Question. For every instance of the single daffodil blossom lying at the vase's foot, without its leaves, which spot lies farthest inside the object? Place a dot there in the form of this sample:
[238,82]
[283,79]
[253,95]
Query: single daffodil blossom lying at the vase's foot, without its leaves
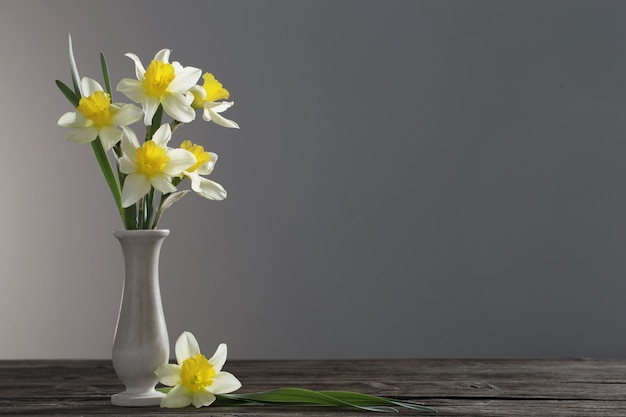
[195,379]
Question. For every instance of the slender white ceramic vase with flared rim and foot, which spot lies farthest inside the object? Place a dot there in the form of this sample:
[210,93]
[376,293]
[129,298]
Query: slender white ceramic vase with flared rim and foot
[141,342]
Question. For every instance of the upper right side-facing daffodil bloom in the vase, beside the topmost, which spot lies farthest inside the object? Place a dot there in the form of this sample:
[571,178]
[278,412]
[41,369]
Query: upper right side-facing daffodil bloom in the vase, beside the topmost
[206,97]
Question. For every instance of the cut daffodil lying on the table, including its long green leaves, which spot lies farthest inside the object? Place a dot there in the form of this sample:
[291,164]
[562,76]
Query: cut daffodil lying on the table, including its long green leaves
[196,380]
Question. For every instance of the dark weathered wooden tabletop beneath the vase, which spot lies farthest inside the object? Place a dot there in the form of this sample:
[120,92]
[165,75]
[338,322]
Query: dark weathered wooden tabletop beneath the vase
[570,387]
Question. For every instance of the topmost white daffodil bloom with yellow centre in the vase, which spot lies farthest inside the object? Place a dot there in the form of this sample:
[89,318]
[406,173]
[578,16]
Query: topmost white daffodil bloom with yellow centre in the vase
[162,83]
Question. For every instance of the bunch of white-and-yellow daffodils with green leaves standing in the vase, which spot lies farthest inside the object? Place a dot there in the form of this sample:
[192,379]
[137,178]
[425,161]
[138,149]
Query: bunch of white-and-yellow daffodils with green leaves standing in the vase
[148,171]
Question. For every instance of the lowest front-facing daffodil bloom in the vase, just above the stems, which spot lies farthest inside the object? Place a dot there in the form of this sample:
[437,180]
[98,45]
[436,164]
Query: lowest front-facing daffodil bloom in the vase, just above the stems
[151,164]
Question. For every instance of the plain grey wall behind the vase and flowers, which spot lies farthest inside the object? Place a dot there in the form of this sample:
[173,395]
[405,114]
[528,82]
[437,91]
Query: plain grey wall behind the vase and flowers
[411,179]
